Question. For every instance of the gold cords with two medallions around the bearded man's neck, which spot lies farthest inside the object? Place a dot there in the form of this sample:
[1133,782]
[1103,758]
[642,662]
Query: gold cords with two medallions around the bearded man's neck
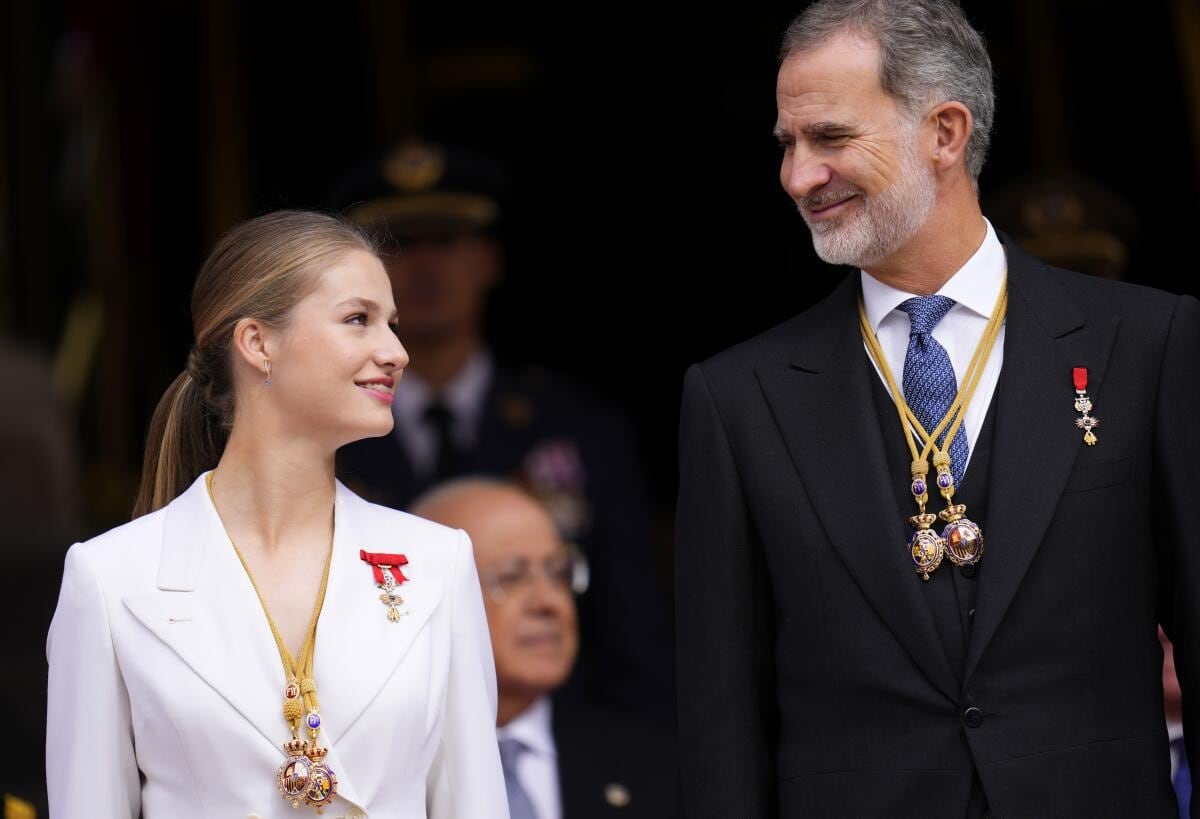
[962,541]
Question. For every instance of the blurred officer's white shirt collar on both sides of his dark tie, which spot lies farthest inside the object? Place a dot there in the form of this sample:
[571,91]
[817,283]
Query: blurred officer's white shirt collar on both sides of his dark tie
[464,396]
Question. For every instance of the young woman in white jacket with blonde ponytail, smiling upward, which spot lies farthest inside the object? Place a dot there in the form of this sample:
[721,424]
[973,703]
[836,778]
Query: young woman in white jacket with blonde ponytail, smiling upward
[230,653]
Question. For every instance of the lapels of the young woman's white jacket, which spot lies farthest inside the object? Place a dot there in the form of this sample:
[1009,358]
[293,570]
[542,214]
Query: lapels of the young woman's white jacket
[207,612]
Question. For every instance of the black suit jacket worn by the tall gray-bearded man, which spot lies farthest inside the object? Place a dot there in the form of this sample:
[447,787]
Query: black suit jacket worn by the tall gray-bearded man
[812,679]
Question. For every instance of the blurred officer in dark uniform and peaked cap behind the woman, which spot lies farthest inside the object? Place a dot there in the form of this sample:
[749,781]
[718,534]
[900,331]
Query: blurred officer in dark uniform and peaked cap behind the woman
[461,411]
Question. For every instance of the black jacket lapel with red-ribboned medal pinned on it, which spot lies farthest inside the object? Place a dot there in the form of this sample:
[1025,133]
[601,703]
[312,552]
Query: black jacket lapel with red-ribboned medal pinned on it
[1036,441]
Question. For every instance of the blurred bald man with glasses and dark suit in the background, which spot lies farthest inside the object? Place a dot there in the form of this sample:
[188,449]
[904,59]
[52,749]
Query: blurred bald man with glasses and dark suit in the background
[563,757]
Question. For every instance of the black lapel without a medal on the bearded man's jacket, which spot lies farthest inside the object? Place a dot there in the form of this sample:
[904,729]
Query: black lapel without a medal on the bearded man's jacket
[824,406]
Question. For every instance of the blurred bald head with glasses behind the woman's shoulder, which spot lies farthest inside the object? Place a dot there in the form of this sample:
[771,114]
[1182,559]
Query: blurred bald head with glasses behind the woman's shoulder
[526,573]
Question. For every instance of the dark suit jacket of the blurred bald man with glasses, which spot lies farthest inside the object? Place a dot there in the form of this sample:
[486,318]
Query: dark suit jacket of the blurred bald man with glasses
[613,767]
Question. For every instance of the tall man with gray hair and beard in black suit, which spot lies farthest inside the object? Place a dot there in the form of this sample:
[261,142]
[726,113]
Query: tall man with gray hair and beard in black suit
[915,576]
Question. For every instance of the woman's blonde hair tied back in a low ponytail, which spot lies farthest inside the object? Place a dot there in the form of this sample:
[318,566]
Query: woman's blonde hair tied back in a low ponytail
[260,270]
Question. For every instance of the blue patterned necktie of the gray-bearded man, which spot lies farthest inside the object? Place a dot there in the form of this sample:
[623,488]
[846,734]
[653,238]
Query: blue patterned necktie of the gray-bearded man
[929,384]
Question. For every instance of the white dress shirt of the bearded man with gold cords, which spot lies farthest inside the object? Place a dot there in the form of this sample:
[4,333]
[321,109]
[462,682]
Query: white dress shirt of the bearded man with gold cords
[975,290]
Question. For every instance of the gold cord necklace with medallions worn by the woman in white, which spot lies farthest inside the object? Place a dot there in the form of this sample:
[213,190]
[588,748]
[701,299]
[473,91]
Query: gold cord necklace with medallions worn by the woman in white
[304,776]
